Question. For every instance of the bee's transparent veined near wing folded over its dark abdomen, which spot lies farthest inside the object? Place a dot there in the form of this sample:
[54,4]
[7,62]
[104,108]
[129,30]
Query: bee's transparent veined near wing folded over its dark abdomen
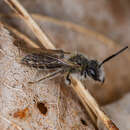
[46,61]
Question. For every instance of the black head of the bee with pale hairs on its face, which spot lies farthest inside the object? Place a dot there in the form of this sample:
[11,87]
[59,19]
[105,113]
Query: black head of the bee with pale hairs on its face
[94,71]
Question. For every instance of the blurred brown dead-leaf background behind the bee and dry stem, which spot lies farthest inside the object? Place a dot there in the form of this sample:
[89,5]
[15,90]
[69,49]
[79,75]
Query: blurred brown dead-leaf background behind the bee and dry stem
[96,29]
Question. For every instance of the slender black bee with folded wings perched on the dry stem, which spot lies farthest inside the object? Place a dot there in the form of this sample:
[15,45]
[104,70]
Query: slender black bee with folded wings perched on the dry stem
[56,60]
